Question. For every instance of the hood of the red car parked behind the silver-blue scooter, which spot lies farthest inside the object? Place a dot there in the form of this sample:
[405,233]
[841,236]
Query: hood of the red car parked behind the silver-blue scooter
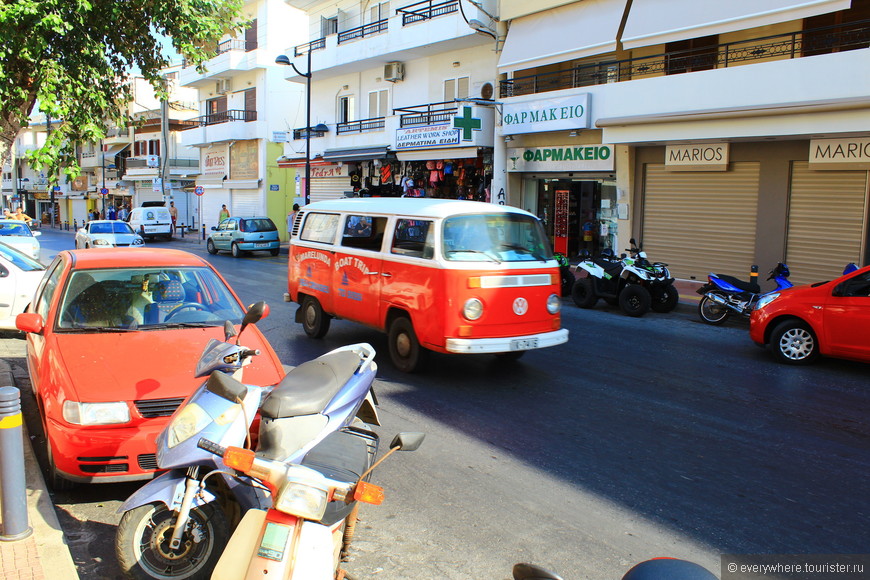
[154,364]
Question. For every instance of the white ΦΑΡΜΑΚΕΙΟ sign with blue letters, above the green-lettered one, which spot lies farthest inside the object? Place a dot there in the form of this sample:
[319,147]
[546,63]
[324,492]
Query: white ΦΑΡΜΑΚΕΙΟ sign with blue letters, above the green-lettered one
[564,113]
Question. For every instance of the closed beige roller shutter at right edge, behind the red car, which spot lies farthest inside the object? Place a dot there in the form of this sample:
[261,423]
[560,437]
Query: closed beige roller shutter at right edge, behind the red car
[826,219]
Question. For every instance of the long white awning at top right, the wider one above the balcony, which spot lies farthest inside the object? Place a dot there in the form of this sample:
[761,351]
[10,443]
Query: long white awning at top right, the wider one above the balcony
[655,22]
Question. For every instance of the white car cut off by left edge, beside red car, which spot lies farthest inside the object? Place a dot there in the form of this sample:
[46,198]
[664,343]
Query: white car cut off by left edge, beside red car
[19,276]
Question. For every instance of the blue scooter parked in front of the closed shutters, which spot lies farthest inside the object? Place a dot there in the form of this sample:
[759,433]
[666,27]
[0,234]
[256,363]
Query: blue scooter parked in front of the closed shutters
[724,295]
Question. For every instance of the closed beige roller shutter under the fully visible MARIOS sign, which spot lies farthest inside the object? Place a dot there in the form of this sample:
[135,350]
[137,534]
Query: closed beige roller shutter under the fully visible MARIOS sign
[701,222]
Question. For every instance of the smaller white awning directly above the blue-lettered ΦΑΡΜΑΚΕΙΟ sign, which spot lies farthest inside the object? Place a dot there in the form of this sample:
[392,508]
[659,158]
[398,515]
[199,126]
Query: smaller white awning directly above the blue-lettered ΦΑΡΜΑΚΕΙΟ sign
[569,32]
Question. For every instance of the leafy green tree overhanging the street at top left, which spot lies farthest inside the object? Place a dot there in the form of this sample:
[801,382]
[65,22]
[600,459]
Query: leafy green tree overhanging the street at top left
[73,59]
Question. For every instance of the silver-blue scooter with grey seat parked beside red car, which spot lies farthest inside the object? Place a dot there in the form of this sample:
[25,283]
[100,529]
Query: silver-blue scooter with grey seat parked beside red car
[177,525]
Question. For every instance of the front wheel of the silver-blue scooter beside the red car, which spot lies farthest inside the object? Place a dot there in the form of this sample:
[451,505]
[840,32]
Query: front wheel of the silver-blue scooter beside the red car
[144,533]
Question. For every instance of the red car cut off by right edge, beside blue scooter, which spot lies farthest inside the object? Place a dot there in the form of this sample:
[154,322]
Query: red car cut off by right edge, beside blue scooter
[826,318]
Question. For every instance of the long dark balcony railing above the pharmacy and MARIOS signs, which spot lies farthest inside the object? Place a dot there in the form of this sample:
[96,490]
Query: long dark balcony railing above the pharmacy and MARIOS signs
[810,42]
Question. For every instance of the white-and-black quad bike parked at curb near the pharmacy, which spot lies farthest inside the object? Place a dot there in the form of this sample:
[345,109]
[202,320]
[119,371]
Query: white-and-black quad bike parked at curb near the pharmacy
[632,281]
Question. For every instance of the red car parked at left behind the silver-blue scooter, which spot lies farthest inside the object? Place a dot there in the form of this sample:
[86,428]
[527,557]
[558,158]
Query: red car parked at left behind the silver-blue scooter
[112,341]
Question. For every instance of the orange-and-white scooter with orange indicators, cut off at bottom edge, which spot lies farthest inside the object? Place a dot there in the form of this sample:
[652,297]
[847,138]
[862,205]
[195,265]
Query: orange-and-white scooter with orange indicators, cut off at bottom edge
[300,536]
